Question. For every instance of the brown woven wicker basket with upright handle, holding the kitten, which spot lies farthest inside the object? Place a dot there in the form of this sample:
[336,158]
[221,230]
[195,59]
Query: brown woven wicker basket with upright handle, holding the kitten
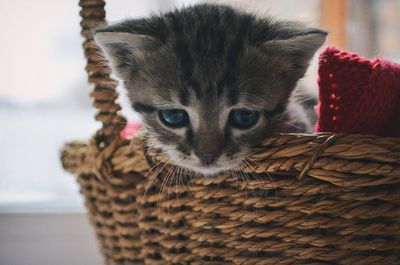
[306,199]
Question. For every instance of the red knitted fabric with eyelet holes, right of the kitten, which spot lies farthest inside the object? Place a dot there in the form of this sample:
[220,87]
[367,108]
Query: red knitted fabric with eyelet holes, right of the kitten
[358,95]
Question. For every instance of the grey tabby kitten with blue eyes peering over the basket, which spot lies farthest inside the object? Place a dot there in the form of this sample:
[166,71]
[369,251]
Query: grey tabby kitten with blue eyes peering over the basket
[211,82]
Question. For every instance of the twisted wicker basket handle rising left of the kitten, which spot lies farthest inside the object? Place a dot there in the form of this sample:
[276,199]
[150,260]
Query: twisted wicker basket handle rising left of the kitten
[104,92]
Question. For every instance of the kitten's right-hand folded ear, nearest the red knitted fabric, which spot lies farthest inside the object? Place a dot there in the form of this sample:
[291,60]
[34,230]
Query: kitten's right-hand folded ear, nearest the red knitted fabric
[296,46]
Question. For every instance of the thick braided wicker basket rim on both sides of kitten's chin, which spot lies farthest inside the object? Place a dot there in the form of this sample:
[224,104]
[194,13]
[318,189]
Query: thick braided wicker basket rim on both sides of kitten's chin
[349,160]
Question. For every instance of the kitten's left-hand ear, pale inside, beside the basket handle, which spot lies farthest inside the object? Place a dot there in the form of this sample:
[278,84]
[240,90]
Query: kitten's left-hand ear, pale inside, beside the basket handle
[123,49]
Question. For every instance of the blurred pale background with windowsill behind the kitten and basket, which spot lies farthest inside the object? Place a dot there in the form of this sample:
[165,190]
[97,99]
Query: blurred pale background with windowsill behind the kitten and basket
[44,102]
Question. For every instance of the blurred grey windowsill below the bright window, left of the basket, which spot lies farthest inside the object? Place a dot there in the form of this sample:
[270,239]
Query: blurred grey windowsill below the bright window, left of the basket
[47,239]
